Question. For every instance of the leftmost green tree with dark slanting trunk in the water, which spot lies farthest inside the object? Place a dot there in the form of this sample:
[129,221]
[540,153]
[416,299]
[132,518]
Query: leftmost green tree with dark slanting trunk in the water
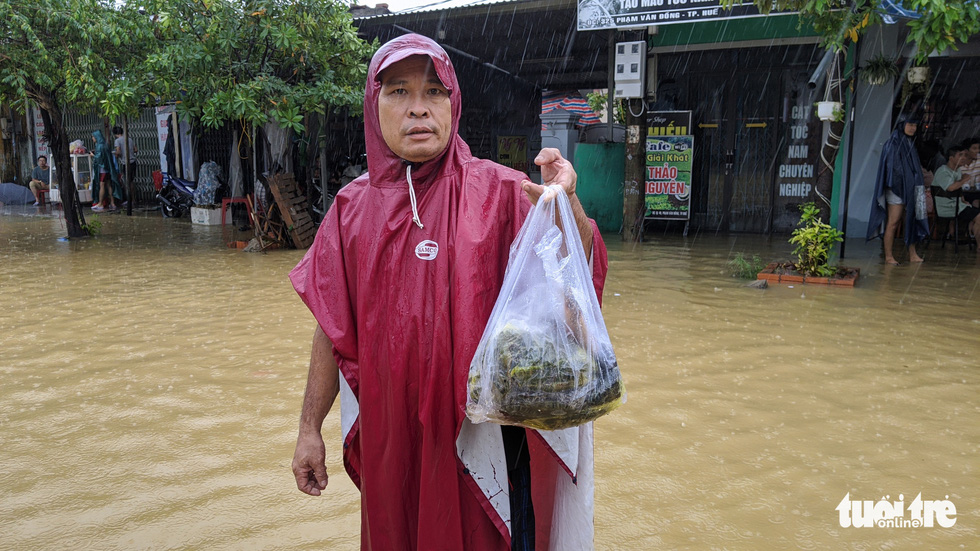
[61,53]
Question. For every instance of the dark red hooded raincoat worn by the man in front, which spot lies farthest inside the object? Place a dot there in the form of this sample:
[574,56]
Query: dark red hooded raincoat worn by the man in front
[405,308]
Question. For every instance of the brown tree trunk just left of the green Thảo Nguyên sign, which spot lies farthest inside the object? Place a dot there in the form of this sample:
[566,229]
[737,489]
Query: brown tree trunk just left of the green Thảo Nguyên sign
[634,186]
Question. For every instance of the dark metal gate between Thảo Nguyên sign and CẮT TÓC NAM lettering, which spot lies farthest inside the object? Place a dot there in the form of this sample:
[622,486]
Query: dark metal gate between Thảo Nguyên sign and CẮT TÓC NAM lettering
[735,99]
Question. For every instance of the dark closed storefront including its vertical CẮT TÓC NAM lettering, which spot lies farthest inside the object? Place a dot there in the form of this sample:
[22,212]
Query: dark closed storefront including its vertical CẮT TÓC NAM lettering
[756,141]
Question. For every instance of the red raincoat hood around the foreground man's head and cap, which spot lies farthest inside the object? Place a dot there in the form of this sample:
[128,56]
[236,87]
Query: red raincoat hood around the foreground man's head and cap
[385,167]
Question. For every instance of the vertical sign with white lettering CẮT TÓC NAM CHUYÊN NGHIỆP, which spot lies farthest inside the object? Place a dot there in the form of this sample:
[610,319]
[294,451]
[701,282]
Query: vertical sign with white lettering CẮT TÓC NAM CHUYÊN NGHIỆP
[798,160]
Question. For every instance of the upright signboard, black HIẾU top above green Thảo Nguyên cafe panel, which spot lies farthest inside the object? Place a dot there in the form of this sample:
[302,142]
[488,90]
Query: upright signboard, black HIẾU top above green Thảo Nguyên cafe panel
[669,160]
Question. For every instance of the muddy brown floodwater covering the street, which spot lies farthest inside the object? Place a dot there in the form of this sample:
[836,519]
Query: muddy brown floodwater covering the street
[152,380]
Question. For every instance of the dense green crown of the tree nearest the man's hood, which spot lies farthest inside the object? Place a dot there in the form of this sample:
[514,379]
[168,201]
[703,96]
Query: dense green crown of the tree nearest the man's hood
[252,61]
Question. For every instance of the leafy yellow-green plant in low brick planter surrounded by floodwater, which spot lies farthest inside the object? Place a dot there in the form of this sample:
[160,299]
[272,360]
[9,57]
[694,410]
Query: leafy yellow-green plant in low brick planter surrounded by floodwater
[814,241]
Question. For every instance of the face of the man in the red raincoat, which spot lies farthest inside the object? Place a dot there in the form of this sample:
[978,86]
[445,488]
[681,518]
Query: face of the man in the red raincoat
[414,110]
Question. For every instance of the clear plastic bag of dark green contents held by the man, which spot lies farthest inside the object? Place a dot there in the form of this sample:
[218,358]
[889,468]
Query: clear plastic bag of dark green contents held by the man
[545,360]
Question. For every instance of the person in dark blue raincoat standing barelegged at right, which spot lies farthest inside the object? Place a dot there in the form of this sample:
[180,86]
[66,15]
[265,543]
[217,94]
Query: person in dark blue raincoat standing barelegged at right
[899,195]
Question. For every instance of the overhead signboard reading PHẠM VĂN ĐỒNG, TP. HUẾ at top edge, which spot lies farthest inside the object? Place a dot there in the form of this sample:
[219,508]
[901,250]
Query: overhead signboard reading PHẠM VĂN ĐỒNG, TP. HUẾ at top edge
[613,14]
